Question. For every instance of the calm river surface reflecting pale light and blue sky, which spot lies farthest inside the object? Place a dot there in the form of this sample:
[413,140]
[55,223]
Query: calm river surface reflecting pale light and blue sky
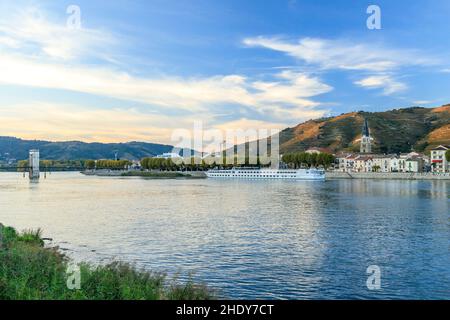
[250,239]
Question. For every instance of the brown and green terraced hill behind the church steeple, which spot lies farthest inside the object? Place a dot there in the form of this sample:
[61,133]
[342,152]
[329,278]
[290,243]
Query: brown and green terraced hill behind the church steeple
[395,131]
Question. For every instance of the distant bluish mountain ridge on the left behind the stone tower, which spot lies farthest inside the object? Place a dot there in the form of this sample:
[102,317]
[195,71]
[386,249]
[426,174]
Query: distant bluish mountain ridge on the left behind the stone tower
[75,150]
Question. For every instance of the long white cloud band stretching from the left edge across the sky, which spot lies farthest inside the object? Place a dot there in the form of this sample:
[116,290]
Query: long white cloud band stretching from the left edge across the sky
[194,94]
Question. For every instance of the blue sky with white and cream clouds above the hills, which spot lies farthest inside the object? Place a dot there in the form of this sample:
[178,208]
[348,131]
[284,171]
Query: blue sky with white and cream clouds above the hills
[140,70]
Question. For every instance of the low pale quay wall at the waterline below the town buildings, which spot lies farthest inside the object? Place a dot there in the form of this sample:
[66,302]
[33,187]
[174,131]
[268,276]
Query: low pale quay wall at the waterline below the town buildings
[386,176]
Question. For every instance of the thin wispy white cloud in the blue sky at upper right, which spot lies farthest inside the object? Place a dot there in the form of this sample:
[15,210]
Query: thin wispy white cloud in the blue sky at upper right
[371,59]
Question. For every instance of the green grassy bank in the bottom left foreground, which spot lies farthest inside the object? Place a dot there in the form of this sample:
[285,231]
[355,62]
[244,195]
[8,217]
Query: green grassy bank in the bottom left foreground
[30,271]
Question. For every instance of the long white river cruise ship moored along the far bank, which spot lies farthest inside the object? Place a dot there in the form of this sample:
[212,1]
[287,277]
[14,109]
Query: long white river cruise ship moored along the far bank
[258,173]
